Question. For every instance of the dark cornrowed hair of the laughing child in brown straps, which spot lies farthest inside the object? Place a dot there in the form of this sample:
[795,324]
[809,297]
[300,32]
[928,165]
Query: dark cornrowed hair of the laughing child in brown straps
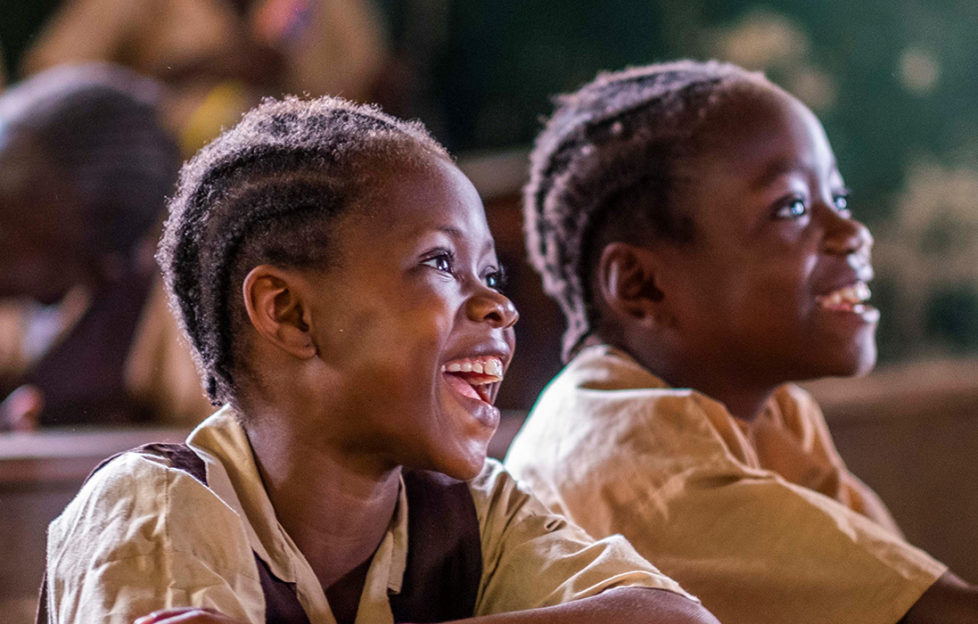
[267,191]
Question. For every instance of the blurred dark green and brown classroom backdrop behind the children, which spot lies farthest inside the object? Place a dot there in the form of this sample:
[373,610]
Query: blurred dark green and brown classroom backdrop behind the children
[894,83]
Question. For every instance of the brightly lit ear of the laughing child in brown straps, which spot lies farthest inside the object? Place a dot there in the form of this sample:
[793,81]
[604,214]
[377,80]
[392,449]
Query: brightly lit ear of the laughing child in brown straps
[277,310]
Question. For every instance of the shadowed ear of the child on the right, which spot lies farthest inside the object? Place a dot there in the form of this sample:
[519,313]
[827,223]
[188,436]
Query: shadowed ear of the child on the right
[627,282]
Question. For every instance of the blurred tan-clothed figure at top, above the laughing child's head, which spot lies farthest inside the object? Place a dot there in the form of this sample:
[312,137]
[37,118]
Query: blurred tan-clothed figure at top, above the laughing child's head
[219,57]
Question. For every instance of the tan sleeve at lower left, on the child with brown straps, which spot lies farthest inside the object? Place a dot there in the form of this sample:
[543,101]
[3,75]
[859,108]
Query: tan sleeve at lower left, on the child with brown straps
[113,555]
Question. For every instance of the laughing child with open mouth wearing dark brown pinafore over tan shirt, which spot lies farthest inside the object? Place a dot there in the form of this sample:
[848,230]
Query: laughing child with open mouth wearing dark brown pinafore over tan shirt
[335,274]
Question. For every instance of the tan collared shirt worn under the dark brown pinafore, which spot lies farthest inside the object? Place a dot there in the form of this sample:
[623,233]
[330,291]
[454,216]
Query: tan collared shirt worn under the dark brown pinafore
[140,536]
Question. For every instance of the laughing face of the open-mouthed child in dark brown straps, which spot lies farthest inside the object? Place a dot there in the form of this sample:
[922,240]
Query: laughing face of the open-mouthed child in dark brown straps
[410,325]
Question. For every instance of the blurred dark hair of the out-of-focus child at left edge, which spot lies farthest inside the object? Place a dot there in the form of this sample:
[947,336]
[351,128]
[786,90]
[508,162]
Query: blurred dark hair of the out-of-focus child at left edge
[99,126]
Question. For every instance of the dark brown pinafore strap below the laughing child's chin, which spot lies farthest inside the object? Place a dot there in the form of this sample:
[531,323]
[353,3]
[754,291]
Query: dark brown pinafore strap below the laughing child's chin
[444,561]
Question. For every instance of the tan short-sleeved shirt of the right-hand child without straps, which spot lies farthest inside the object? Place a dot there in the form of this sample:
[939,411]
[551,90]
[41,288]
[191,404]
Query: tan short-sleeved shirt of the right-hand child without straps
[759,520]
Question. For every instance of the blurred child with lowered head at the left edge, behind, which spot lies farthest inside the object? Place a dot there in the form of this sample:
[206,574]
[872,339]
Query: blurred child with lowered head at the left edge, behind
[85,333]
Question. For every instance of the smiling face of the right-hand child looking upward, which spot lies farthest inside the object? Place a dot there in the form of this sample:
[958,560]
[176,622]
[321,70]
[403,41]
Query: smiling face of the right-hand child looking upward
[772,287]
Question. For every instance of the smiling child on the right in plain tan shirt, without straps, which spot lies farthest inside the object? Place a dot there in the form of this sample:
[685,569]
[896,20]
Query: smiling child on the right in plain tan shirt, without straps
[691,221]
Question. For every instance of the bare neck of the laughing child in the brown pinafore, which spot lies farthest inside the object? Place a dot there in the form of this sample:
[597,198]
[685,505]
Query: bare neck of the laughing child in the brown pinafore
[335,508]
